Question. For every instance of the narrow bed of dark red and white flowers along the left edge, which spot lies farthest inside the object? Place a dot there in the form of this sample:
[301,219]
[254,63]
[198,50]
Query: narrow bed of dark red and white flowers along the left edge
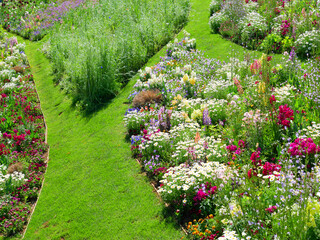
[22,139]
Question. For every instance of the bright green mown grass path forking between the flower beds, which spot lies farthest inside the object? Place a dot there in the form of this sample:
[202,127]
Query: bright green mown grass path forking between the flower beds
[93,189]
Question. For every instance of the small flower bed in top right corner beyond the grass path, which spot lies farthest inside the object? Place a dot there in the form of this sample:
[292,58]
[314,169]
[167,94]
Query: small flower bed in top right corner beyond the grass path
[270,26]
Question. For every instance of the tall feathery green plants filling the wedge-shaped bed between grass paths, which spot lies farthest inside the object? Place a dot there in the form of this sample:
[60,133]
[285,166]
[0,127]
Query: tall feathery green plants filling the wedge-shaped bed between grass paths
[99,47]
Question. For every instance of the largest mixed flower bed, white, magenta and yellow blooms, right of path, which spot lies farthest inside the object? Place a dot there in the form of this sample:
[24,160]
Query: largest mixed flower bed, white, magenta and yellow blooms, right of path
[233,147]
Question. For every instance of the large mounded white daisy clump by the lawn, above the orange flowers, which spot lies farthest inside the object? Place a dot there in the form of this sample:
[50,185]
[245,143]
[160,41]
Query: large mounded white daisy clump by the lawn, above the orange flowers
[186,187]
